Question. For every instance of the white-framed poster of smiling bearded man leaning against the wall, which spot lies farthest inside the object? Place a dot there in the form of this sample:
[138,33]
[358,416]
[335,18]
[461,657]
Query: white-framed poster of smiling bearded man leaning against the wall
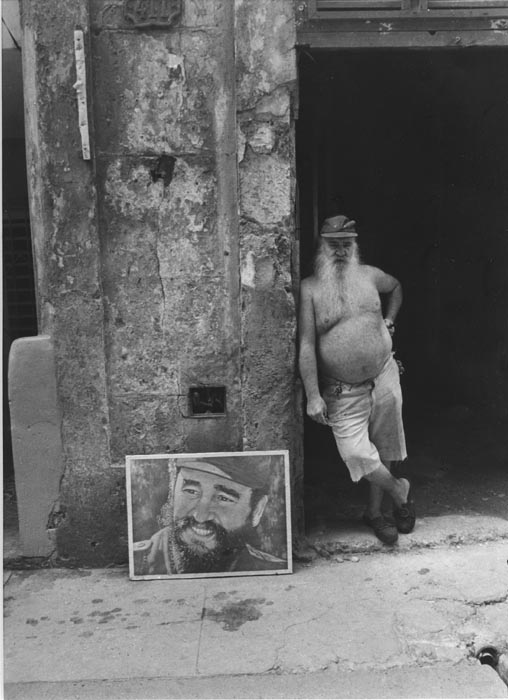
[208,514]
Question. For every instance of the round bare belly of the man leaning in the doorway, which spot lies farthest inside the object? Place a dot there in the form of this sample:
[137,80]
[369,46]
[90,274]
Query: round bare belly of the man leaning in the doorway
[355,349]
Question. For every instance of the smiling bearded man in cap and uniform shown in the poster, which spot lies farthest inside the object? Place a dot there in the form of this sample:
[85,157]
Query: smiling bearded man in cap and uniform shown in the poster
[208,523]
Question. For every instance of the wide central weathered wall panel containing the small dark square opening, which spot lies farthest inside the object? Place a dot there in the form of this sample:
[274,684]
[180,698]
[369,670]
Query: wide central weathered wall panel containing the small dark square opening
[164,118]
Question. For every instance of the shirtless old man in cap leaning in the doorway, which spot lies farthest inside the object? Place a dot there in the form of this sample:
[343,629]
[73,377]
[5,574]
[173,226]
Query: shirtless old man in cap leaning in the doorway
[350,377]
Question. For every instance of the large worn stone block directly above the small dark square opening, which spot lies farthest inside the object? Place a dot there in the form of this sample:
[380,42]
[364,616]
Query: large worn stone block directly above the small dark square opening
[165,282]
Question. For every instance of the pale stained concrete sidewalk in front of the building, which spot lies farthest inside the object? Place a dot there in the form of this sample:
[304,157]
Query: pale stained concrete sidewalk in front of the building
[377,624]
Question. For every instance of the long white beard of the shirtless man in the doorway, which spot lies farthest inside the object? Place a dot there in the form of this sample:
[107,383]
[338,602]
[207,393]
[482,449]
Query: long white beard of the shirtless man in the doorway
[339,283]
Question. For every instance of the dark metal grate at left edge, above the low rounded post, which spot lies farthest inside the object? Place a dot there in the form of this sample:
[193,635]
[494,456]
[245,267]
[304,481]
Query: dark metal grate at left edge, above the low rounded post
[18,275]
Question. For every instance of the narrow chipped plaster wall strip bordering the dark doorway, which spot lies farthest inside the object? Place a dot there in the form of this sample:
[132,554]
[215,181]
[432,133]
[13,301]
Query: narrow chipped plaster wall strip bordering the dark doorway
[266,85]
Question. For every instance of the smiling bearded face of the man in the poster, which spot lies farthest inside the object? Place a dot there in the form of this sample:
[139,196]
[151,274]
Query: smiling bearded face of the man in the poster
[214,517]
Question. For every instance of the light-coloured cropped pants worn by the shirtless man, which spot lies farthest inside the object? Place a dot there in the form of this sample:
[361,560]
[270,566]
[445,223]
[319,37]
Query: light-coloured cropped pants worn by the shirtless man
[366,420]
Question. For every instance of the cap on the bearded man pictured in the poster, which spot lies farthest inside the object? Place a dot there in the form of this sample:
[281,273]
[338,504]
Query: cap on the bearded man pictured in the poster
[250,470]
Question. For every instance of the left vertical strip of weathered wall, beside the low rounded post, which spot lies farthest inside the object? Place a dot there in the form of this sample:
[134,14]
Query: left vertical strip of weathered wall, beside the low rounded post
[63,203]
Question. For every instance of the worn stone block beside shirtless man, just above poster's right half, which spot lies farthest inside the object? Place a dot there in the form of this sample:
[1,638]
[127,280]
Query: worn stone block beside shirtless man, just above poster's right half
[269,333]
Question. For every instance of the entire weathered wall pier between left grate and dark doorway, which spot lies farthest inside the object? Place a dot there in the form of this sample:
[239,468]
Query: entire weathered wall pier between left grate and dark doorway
[169,260]
